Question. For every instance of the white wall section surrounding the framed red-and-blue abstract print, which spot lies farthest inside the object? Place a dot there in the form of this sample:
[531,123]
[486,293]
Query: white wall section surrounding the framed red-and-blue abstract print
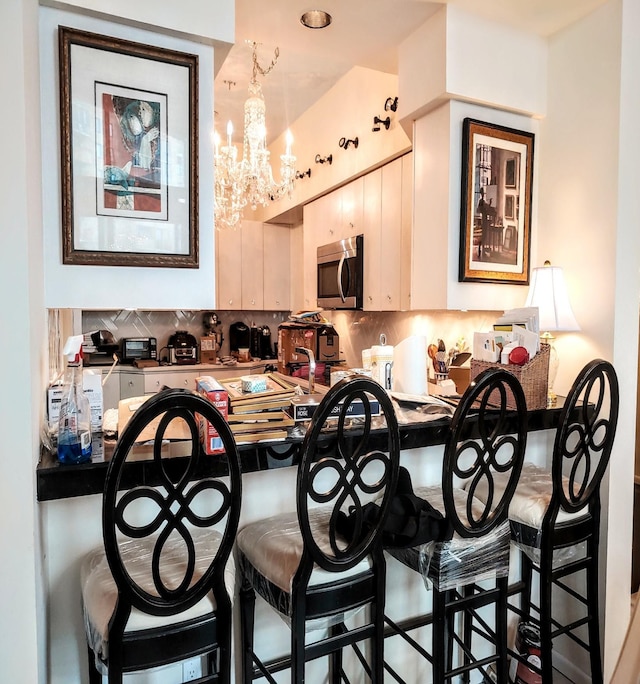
[104,287]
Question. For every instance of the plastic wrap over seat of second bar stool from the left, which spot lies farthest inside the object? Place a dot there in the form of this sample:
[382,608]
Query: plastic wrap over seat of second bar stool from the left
[269,553]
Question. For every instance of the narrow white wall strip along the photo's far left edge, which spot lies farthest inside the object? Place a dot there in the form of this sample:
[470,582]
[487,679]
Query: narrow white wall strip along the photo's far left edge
[22,644]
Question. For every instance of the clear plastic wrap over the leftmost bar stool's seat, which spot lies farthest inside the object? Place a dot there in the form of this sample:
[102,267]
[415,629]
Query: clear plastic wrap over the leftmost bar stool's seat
[99,591]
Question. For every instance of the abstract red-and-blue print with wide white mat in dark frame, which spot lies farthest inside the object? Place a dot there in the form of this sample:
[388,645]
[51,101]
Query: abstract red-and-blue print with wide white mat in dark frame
[129,131]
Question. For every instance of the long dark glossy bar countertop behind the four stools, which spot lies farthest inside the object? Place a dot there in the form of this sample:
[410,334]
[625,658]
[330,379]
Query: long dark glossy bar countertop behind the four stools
[55,481]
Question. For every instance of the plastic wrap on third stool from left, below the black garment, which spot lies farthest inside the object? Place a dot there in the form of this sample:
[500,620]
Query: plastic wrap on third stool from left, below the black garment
[459,561]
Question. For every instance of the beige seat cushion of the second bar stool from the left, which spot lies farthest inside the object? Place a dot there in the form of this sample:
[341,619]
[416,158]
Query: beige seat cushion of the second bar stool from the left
[274,546]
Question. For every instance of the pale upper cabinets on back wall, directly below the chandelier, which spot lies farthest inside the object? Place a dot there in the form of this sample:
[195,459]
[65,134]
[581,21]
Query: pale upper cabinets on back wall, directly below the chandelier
[252,267]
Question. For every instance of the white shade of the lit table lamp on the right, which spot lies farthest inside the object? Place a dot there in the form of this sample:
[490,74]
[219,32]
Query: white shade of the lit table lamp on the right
[549,293]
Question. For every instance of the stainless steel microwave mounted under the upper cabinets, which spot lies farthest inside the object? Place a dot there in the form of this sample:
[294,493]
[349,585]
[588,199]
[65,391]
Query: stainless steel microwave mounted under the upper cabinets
[341,274]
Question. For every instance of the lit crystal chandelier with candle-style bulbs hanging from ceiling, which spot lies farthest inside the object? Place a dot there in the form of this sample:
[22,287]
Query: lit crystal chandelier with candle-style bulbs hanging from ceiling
[249,182]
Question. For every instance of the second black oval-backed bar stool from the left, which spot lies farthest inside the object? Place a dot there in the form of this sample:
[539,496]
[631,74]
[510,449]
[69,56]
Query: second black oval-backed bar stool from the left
[301,565]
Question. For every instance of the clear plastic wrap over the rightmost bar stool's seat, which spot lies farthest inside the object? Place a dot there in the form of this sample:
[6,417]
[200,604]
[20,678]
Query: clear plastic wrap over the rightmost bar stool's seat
[527,510]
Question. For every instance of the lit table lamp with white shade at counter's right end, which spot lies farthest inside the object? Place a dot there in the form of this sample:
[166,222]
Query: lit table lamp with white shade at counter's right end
[549,293]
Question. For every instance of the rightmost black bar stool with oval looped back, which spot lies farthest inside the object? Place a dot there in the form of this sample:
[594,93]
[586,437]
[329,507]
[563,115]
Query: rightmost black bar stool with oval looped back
[555,521]
